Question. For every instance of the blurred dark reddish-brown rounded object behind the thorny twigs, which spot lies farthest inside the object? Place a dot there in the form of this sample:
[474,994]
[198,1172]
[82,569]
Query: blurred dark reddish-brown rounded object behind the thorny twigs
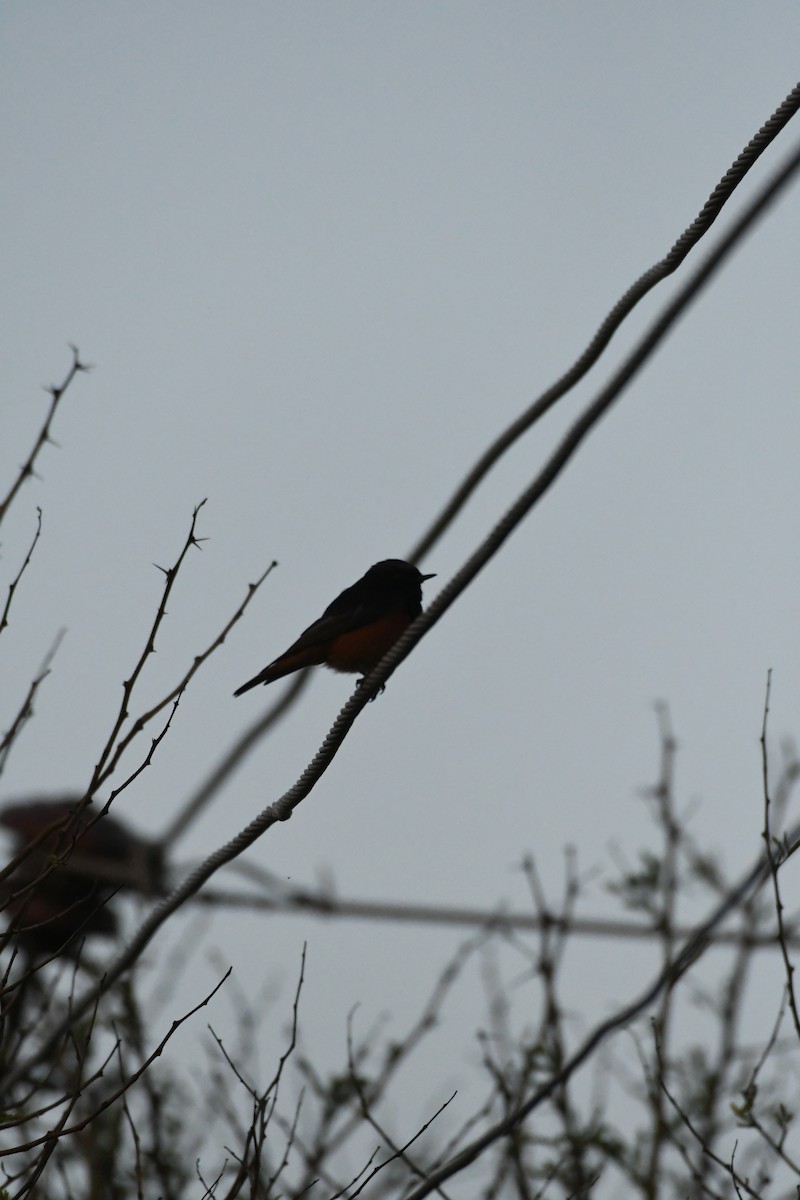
[67,871]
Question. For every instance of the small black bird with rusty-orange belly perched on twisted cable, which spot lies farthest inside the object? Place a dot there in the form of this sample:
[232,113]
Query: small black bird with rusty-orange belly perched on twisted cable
[358,628]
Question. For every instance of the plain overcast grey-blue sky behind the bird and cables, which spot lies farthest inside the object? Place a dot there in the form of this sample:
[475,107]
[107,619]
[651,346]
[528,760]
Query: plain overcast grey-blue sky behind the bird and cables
[320,255]
